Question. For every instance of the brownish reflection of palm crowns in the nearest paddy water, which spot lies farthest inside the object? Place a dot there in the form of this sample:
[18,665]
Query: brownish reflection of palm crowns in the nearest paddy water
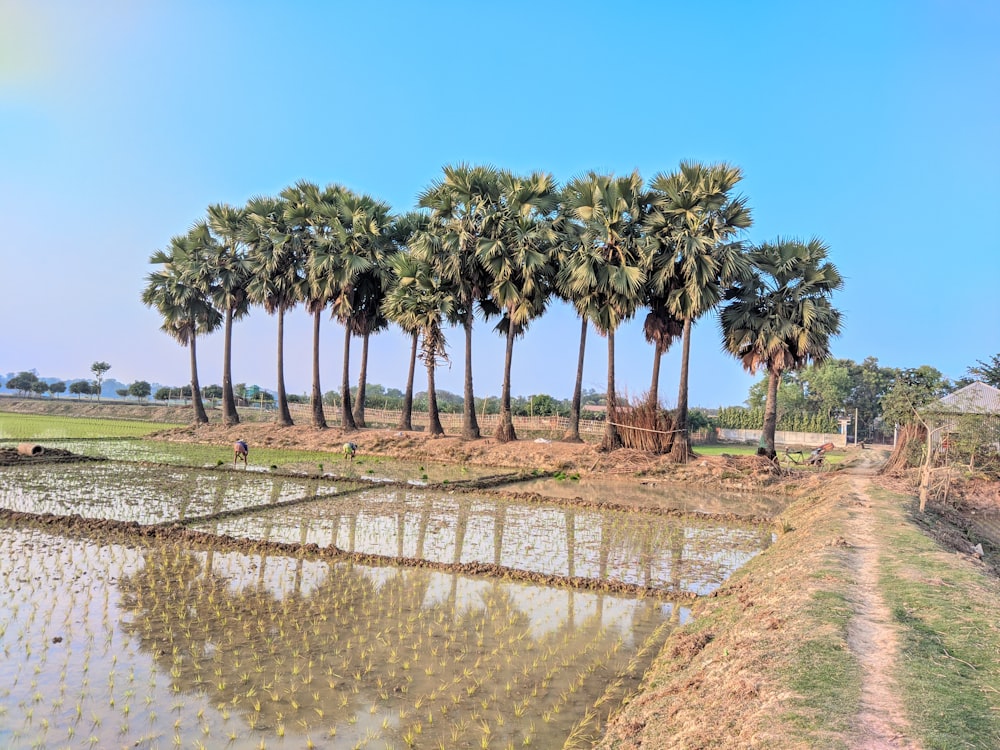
[347,641]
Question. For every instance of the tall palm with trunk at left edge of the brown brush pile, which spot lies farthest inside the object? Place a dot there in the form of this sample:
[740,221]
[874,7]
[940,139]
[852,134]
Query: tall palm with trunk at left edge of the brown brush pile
[607,274]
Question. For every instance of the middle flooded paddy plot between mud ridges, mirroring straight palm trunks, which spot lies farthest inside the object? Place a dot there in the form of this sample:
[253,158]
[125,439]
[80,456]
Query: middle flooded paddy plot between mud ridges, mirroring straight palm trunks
[673,554]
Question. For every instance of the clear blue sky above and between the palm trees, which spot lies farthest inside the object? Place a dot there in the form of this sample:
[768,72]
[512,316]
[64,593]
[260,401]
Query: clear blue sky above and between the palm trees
[874,125]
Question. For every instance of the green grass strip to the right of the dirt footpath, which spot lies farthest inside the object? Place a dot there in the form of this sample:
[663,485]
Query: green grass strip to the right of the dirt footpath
[949,640]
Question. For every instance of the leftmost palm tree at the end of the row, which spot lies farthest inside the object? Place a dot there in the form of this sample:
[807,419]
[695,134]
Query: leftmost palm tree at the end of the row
[186,310]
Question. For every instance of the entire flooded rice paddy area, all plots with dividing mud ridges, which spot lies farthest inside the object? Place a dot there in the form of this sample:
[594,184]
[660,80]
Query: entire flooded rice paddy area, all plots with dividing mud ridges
[321,631]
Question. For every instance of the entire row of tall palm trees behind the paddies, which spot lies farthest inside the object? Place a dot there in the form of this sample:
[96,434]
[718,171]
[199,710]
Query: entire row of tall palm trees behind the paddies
[490,243]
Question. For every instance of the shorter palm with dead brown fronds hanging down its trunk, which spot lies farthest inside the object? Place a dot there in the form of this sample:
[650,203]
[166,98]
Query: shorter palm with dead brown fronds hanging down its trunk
[418,301]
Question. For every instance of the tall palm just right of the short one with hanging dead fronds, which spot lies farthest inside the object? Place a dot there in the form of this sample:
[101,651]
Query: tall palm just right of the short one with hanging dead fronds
[461,205]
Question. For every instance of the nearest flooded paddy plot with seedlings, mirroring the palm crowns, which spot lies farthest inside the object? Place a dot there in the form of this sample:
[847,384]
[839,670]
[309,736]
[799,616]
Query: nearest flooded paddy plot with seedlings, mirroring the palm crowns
[106,645]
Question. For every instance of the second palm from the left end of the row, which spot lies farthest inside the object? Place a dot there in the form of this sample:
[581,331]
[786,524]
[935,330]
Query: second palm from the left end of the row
[229,288]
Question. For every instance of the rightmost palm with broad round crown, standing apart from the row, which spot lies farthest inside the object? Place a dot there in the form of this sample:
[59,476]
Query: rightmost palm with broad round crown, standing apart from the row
[779,316]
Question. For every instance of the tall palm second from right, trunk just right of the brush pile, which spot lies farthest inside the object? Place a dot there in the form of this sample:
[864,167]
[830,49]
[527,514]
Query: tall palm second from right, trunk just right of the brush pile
[693,228]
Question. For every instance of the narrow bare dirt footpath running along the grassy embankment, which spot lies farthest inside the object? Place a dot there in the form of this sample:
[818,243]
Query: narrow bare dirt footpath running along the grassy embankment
[881,723]
